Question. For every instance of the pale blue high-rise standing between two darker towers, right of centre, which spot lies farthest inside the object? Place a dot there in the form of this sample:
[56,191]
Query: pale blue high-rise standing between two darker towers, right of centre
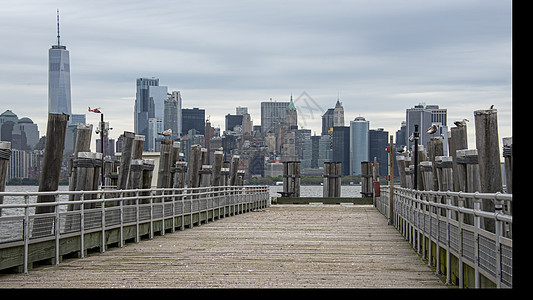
[358,144]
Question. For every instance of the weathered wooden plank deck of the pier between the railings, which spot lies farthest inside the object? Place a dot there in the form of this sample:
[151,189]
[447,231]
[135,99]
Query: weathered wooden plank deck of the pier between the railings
[282,246]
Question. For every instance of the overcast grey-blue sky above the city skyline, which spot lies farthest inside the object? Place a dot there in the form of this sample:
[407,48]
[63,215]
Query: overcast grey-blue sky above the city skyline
[379,57]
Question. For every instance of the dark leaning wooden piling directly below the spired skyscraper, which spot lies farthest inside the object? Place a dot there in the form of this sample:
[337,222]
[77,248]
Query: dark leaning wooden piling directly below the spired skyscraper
[51,166]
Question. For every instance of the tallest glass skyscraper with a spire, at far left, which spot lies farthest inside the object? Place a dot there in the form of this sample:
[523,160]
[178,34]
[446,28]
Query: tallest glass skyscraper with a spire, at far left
[59,98]
